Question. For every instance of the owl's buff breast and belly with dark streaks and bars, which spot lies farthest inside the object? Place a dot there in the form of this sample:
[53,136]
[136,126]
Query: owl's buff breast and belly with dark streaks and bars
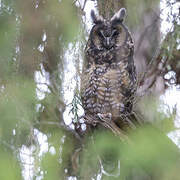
[104,89]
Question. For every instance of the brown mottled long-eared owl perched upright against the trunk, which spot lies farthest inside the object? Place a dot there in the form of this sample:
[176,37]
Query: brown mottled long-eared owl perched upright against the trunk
[108,83]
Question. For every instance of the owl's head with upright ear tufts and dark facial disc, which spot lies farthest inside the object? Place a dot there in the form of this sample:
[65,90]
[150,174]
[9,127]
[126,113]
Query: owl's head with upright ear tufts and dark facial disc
[108,34]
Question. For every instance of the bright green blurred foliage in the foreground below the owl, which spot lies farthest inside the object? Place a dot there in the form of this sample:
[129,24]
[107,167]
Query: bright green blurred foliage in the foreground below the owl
[148,155]
